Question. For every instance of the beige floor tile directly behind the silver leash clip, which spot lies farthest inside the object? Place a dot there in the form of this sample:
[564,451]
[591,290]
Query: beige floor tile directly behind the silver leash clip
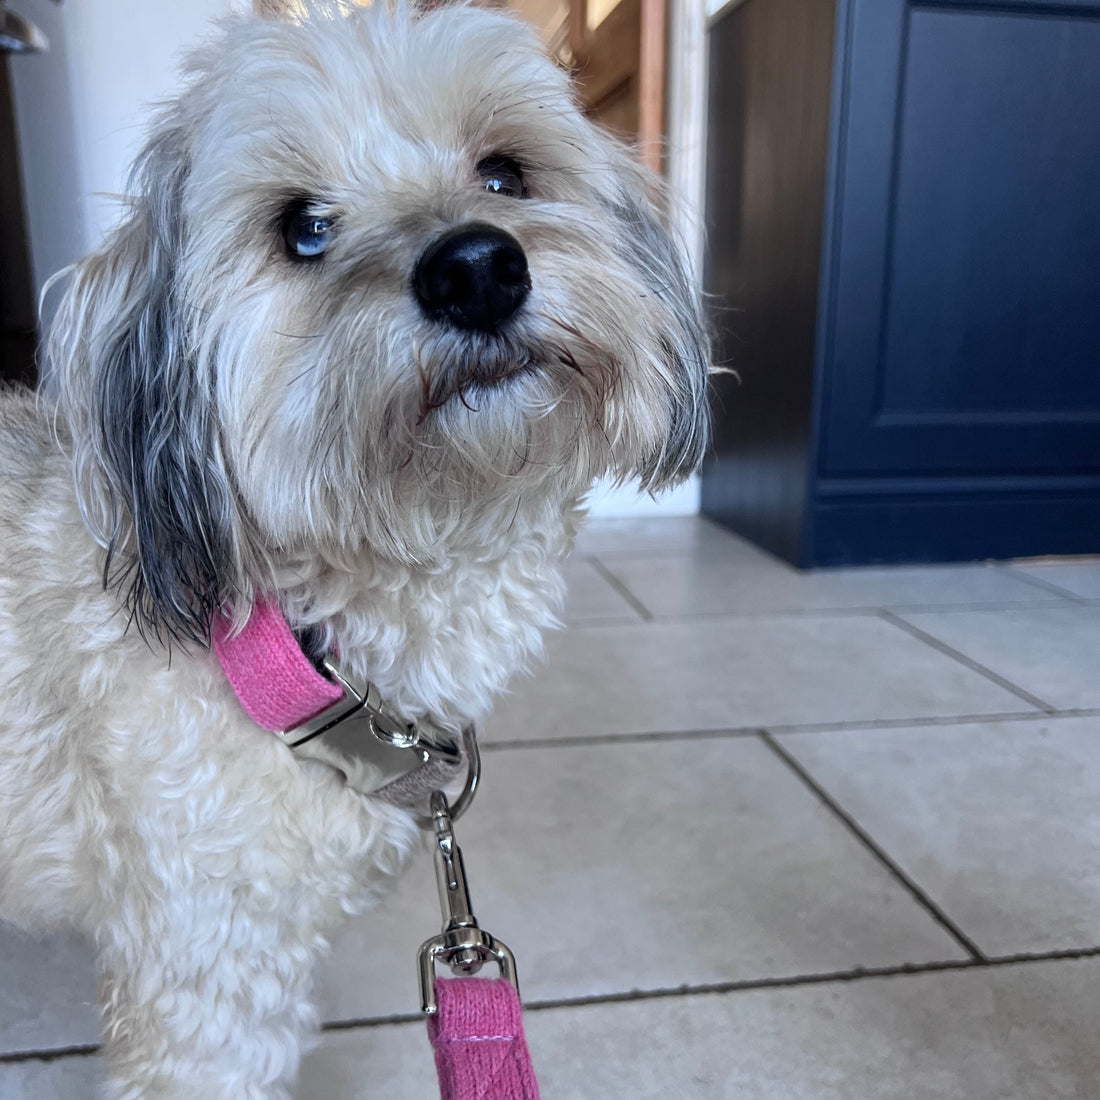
[612,868]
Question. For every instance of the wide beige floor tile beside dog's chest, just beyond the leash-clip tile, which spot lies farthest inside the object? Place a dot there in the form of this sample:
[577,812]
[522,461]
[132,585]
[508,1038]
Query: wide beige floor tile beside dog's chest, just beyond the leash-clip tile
[732,674]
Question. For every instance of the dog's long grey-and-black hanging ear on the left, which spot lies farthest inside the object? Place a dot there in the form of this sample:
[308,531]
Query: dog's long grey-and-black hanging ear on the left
[150,478]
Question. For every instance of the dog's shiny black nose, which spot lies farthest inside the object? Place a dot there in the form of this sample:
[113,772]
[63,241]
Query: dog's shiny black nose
[476,277]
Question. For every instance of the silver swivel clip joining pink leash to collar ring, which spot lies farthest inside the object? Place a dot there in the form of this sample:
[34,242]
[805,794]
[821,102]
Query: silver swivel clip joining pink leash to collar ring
[464,947]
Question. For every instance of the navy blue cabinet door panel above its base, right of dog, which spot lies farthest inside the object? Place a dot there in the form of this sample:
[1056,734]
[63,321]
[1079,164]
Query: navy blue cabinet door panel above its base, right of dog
[964,334]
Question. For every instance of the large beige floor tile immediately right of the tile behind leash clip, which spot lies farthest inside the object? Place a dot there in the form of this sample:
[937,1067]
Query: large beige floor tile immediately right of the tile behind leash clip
[998,823]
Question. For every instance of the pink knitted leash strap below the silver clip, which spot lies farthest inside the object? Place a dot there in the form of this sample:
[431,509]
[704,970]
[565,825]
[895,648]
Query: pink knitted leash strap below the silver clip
[478,1036]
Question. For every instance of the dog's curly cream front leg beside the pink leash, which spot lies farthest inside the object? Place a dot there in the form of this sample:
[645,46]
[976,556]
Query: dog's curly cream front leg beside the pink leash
[219,907]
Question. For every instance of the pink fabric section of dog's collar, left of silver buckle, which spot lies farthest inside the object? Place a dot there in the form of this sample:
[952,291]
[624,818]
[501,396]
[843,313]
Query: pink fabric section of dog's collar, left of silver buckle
[276,683]
